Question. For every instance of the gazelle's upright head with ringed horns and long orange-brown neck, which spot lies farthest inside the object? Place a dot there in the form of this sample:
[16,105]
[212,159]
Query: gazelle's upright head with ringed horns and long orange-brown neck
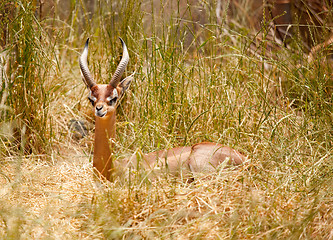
[104,99]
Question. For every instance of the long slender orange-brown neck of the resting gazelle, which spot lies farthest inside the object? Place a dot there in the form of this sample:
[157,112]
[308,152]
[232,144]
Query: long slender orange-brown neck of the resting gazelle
[105,130]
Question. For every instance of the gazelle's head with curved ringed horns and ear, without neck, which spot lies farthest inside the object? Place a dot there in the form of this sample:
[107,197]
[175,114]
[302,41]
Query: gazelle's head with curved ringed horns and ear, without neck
[105,97]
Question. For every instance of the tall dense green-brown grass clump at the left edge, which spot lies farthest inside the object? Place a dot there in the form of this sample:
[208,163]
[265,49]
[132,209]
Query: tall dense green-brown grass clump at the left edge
[26,89]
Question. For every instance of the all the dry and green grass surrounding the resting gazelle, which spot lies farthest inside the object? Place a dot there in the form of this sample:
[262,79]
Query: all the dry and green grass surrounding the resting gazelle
[204,72]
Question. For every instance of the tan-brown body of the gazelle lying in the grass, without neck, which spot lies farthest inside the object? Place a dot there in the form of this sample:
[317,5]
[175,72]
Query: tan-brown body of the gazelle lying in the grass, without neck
[202,157]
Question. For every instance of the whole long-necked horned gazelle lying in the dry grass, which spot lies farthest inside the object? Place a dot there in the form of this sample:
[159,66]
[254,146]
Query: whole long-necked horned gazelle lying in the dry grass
[200,157]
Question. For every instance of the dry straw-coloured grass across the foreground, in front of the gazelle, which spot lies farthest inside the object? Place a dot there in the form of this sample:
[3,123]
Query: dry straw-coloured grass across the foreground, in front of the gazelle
[60,200]
